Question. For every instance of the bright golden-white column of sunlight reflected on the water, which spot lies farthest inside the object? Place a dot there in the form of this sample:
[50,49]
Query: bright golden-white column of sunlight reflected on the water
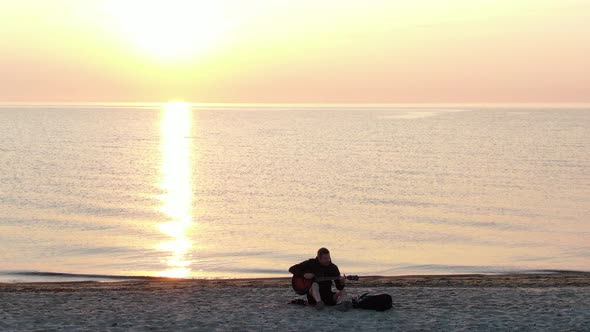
[176,182]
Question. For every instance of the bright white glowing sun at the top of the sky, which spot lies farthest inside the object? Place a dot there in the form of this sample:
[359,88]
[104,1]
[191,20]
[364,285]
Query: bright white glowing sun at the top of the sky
[169,29]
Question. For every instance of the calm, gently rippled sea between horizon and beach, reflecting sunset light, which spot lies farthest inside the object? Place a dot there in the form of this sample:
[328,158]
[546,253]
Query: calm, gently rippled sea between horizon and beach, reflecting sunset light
[247,191]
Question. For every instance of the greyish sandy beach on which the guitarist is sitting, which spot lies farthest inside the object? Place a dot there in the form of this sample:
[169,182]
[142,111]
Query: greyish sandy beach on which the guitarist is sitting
[535,302]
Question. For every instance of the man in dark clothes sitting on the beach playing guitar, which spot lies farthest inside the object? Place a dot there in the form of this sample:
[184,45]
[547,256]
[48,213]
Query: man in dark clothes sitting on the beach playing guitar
[321,293]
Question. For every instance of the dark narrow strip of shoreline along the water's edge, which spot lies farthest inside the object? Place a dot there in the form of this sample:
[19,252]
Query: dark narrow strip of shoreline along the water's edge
[541,280]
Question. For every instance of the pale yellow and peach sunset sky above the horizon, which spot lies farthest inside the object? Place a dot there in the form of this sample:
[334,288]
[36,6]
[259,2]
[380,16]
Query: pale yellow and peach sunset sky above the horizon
[374,51]
